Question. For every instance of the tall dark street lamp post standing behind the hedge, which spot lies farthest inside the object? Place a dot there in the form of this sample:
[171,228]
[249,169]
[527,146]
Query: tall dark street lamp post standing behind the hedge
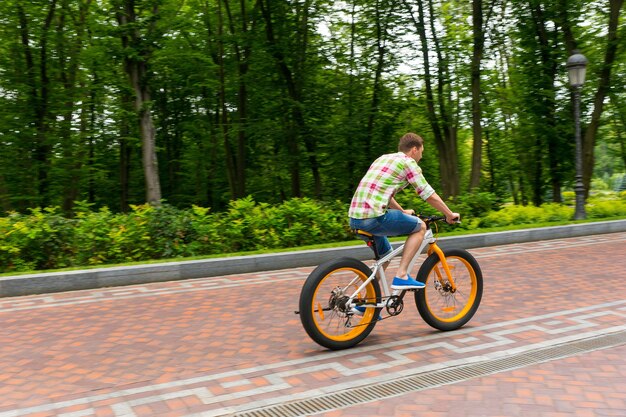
[576,68]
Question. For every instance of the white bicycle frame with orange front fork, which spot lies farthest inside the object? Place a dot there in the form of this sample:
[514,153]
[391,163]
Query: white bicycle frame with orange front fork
[378,270]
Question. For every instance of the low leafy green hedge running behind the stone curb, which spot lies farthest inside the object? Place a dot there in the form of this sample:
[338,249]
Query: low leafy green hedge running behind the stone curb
[45,239]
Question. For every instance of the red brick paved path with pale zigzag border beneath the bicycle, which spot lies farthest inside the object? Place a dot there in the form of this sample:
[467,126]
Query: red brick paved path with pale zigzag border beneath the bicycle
[232,345]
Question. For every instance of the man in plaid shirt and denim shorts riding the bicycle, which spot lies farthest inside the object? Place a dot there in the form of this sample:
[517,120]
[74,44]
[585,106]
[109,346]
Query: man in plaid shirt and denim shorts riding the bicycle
[374,209]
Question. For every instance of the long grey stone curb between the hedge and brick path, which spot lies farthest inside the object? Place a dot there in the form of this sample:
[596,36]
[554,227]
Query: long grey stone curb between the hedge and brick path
[43,283]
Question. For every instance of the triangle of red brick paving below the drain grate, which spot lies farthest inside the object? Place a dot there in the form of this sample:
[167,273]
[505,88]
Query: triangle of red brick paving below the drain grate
[593,384]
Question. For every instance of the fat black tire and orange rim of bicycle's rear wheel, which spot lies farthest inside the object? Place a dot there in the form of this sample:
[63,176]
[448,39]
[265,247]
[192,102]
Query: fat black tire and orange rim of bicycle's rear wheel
[316,286]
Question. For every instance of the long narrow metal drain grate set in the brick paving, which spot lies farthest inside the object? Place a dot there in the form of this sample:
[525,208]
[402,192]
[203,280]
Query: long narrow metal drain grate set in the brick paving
[422,381]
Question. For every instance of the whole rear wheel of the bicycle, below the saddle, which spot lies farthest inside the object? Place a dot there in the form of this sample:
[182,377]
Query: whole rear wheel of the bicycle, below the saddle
[323,310]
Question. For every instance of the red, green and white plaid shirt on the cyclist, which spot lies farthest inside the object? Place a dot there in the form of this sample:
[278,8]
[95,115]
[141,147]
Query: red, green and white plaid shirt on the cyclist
[385,177]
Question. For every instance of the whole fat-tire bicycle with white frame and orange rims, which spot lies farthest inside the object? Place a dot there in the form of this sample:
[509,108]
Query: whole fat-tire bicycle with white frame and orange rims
[331,293]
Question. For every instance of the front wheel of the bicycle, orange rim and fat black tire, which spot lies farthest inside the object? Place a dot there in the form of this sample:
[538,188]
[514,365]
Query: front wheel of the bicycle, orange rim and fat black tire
[441,306]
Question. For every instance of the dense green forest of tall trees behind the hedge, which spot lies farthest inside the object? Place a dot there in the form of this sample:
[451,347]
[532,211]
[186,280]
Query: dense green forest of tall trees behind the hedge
[107,104]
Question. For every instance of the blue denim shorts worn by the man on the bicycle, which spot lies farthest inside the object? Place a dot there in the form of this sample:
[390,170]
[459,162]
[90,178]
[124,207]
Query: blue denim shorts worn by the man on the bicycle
[392,223]
